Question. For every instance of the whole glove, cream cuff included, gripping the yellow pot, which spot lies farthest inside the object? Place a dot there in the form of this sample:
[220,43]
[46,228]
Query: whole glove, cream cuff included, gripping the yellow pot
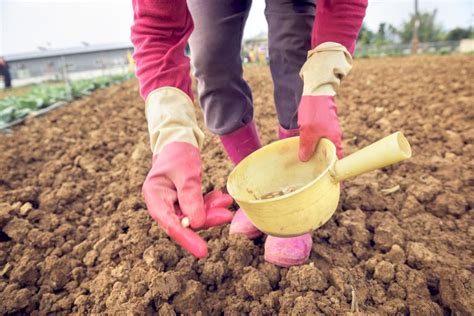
[326,66]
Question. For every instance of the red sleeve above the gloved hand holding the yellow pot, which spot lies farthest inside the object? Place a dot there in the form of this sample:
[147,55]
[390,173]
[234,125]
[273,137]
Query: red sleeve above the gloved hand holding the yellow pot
[338,21]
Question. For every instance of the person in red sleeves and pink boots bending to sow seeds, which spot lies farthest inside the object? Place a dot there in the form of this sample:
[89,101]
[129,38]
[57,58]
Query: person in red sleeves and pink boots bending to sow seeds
[310,52]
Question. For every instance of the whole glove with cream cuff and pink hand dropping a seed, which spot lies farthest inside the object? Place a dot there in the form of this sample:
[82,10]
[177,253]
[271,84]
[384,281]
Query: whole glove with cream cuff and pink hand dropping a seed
[172,189]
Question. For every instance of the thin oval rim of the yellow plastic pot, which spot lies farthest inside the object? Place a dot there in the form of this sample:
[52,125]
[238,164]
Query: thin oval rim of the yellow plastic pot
[277,198]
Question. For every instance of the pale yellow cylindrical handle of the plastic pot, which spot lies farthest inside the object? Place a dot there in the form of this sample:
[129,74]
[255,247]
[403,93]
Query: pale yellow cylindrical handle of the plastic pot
[382,153]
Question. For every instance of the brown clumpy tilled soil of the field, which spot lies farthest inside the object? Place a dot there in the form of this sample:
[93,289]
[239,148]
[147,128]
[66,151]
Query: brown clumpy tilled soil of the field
[75,236]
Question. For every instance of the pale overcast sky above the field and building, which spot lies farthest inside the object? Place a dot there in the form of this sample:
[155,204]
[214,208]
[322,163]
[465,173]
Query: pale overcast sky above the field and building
[25,25]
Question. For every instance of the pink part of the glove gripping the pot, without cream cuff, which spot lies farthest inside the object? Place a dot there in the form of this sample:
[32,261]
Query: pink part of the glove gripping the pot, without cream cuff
[317,117]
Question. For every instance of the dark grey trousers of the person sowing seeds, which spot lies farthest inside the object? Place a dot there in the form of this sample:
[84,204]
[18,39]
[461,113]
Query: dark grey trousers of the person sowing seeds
[215,45]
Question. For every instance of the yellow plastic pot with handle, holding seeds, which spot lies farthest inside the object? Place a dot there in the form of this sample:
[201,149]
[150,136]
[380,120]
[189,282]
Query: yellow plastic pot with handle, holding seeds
[314,184]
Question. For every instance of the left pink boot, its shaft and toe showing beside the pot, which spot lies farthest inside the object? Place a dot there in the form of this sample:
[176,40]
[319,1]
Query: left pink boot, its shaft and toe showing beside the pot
[238,145]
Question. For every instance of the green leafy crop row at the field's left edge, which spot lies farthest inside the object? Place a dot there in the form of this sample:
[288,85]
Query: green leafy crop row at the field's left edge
[42,96]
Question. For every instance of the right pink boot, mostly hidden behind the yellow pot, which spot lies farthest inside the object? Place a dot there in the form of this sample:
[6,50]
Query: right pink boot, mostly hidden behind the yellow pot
[287,252]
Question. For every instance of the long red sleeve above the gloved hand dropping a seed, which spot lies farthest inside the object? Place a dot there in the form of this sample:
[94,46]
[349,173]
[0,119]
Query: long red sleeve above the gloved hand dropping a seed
[160,32]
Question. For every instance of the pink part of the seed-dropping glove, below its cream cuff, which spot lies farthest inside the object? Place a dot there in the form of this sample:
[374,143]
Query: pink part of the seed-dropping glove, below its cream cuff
[172,190]
